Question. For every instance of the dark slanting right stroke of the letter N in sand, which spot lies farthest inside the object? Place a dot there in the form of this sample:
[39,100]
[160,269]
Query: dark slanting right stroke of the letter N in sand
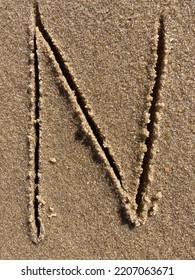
[152,126]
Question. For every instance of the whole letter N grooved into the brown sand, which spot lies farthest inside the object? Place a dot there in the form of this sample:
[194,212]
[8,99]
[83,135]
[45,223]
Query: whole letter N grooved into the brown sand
[133,209]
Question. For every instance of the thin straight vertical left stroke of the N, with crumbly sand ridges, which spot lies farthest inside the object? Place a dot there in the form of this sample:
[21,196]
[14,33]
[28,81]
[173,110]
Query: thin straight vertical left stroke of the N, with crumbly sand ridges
[35,203]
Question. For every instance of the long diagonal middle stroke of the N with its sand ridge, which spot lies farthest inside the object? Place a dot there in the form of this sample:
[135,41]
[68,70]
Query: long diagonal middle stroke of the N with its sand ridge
[84,110]
